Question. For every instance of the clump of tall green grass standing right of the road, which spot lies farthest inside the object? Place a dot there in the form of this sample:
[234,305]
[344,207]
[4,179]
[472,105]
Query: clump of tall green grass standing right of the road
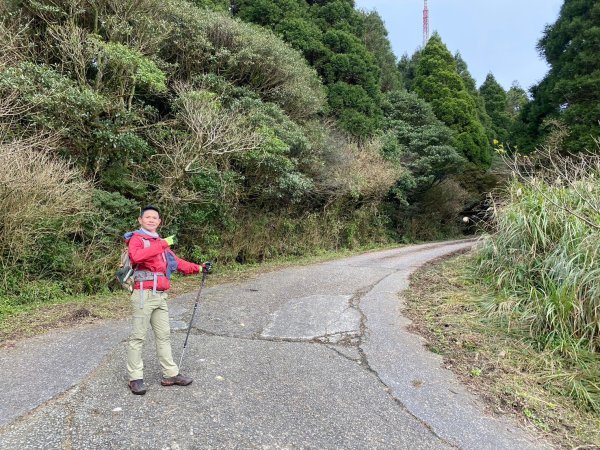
[543,258]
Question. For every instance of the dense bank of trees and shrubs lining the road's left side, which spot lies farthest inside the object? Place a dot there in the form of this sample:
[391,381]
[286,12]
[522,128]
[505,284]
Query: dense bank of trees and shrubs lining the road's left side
[253,146]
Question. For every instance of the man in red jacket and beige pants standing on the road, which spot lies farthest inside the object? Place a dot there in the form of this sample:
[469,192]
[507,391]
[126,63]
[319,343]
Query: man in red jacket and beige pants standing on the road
[153,261]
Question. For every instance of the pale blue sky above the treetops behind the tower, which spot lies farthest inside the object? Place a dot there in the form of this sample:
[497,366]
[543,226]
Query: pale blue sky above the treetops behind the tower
[497,36]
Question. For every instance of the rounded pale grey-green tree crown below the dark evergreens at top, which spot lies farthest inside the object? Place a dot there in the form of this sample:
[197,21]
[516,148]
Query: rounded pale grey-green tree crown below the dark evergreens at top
[205,41]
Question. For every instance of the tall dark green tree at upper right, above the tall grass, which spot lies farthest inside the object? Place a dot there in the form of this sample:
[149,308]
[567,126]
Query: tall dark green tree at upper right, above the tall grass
[571,89]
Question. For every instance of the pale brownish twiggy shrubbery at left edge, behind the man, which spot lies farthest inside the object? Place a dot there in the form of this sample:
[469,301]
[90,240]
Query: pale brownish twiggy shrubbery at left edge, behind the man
[43,205]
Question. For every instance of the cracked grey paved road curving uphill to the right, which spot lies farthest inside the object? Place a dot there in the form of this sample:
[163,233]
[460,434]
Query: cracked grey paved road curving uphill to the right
[314,357]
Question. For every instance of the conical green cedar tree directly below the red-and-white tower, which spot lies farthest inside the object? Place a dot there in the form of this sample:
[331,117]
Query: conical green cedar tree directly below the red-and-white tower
[438,82]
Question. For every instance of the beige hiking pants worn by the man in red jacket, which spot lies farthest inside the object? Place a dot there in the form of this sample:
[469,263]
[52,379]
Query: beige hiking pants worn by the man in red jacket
[153,312]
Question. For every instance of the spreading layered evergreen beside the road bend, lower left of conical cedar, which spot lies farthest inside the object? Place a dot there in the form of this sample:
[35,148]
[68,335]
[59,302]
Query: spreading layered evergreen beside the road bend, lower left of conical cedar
[422,147]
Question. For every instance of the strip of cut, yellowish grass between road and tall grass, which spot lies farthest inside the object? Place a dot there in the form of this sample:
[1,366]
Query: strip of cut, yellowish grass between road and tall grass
[495,361]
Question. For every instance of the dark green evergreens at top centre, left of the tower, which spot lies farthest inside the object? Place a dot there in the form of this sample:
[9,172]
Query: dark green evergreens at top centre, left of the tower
[331,35]
